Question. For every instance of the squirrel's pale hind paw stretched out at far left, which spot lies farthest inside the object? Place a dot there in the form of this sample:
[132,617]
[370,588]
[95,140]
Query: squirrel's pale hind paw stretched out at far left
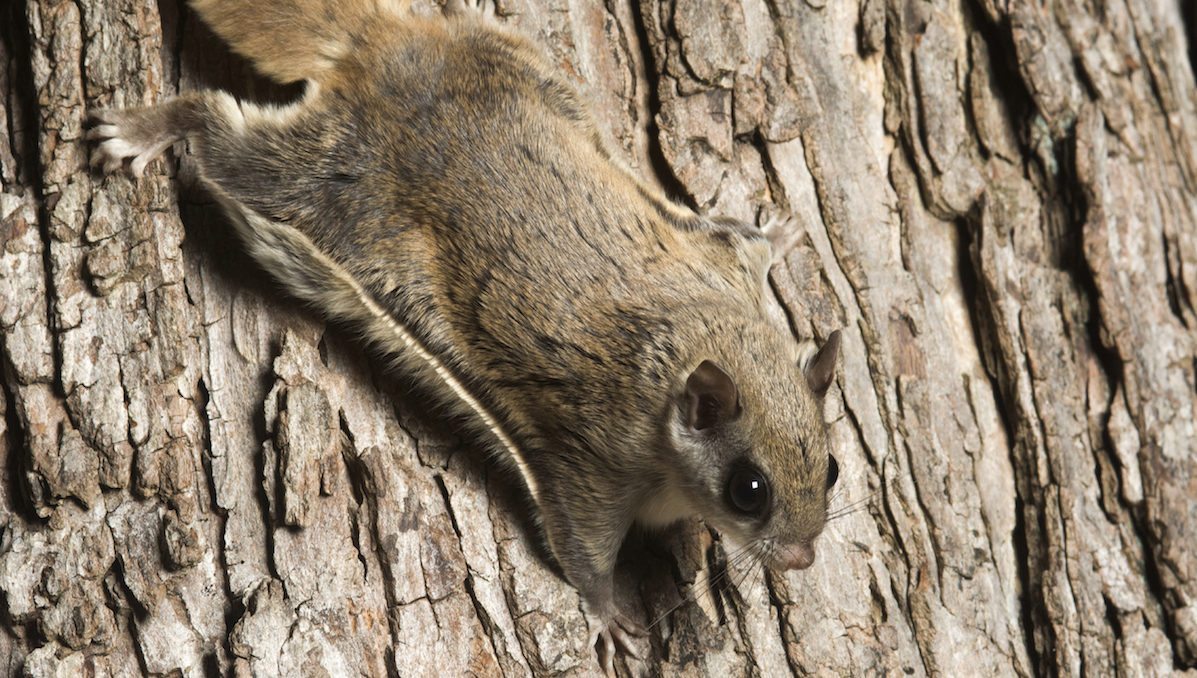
[124,136]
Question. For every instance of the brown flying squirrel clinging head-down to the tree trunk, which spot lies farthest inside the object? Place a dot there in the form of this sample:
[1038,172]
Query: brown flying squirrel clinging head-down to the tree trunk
[445,191]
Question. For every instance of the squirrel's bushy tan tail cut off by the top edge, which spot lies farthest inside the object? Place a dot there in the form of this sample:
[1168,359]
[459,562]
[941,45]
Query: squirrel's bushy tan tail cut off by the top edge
[295,40]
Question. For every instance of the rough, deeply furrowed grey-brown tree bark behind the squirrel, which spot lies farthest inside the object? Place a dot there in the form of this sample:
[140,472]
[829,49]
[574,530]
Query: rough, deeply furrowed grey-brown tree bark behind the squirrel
[1000,203]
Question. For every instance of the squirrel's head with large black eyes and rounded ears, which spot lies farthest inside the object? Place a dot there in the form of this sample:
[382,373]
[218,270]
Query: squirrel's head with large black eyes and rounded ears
[751,446]
